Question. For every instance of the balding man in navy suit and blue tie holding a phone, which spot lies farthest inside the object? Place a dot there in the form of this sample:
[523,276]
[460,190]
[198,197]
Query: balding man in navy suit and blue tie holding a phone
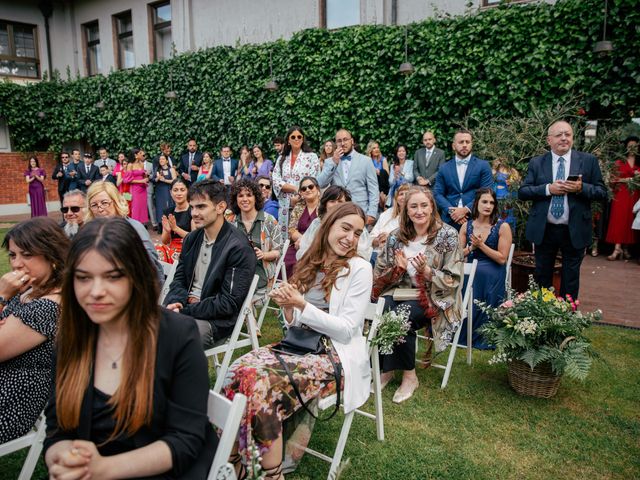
[562,183]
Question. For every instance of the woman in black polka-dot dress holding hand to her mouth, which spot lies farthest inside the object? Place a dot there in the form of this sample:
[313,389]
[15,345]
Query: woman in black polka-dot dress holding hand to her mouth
[29,311]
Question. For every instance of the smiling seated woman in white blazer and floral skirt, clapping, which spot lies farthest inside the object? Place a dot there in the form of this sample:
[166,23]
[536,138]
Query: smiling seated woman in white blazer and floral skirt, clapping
[329,293]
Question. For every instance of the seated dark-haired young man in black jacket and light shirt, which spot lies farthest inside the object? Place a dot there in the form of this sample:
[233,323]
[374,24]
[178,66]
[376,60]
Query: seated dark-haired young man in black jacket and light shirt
[215,268]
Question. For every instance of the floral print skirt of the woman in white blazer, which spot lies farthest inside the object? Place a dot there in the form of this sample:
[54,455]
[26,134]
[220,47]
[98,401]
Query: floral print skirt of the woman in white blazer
[272,402]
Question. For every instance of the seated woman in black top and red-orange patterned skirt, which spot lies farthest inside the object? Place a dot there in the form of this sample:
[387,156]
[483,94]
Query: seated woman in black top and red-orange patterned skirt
[176,222]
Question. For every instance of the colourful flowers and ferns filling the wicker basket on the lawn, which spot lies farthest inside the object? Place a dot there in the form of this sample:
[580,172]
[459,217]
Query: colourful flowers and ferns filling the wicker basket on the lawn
[537,327]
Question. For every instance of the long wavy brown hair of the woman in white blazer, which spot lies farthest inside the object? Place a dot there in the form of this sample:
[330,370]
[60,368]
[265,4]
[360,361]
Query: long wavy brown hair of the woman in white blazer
[304,277]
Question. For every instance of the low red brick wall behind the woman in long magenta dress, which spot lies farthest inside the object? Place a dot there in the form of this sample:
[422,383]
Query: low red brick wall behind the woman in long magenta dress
[14,187]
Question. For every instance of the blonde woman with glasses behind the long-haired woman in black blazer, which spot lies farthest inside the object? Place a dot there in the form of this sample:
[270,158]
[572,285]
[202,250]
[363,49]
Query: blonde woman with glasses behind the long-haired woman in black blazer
[104,200]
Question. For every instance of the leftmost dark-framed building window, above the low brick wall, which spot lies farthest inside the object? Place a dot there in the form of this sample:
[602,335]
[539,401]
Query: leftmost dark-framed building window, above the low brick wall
[18,50]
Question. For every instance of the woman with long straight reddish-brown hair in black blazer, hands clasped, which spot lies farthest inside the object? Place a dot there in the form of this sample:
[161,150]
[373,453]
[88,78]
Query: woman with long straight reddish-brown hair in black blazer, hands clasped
[131,385]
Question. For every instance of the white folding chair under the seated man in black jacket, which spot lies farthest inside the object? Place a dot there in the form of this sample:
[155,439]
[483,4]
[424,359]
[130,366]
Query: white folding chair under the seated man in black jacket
[237,339]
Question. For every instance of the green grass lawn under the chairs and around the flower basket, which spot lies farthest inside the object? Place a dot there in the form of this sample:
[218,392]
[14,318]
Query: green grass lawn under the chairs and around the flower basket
[478,428]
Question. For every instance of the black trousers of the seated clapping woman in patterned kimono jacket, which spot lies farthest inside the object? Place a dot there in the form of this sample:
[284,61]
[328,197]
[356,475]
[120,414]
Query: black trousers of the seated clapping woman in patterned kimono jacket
[403,356]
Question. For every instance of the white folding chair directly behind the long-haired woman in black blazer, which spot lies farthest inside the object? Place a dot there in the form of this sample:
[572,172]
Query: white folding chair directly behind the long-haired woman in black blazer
[225,415]
